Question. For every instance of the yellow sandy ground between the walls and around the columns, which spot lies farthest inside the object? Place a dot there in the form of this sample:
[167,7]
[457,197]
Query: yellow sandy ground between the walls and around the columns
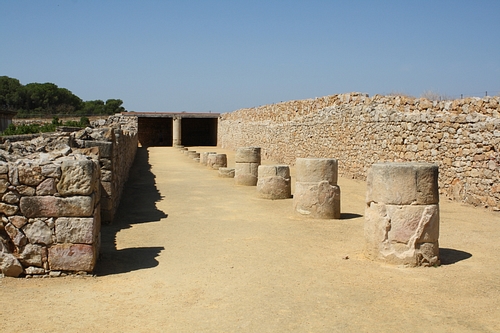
[191,252]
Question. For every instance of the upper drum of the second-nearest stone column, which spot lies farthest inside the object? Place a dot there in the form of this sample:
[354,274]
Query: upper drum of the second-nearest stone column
[310,170]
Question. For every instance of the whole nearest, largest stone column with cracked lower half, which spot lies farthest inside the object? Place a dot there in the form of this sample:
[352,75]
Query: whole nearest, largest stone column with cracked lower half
[402,214]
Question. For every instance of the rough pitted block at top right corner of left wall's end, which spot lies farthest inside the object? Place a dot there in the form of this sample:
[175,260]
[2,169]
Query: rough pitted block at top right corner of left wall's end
[79,177]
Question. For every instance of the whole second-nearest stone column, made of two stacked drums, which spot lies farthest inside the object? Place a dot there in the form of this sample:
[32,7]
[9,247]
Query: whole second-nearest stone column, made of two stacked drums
[317,194]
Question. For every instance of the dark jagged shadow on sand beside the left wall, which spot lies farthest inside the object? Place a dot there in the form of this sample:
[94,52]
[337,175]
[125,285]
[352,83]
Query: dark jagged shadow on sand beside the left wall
[137,205]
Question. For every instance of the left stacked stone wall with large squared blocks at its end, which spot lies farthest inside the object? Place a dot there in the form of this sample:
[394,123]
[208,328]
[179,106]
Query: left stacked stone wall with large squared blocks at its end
[53,188]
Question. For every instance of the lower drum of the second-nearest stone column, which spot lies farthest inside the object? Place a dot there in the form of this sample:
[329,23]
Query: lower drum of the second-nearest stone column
[317,200]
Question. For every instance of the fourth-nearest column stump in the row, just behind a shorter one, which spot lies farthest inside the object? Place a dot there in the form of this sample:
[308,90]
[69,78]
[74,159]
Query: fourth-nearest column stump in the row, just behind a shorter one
[247,161]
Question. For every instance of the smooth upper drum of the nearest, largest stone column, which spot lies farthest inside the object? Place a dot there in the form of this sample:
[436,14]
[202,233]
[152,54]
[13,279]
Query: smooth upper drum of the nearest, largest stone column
[403,184]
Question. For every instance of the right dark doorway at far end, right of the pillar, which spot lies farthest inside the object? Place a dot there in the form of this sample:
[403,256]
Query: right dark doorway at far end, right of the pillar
[199,131]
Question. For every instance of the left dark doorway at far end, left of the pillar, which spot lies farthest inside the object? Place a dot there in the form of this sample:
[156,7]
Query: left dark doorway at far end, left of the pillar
[155,131]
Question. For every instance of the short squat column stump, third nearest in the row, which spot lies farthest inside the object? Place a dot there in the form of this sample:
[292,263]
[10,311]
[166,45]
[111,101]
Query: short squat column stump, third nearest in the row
[274,182]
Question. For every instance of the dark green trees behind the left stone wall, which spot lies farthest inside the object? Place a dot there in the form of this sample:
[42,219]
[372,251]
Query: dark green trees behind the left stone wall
[48,100]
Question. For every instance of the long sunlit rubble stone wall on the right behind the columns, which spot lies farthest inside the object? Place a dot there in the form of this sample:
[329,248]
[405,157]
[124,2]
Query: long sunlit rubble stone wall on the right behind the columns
[461,136]
